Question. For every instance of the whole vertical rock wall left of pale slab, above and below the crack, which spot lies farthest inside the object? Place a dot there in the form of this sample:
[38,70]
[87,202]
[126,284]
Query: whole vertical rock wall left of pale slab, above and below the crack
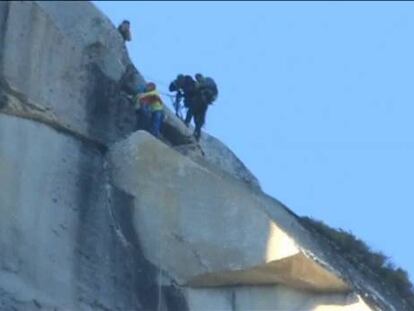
[61,104]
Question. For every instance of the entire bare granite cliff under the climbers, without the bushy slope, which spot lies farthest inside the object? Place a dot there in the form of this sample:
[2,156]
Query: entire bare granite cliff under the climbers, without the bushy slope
[95,216]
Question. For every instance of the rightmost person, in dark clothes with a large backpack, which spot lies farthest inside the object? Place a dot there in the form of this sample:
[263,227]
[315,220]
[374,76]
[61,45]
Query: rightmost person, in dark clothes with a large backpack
[205,92]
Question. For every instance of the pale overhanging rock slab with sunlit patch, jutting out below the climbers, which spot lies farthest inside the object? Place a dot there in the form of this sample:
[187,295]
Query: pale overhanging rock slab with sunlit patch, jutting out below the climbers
[201,227]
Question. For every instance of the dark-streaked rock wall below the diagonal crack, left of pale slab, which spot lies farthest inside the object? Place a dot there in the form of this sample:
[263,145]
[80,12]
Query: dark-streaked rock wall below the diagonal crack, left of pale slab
[60,246]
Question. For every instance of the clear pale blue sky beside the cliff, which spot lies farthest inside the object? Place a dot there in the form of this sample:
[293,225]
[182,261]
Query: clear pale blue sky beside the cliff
[315,97]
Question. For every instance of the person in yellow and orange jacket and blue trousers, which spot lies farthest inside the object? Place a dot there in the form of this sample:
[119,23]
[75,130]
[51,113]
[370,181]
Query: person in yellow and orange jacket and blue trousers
[151,107]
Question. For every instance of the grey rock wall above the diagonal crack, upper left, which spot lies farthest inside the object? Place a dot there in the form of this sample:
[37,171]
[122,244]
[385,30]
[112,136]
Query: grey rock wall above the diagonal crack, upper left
[64,61]
